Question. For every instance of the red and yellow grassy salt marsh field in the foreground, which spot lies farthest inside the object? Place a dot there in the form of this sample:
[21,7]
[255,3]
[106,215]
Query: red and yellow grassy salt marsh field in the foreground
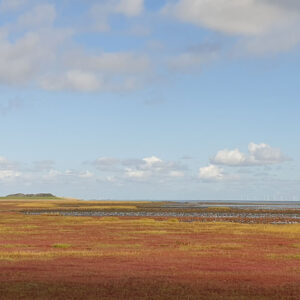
[115,258]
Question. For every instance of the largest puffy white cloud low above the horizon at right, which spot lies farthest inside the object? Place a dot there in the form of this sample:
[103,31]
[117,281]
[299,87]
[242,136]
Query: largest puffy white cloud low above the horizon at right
[258,154]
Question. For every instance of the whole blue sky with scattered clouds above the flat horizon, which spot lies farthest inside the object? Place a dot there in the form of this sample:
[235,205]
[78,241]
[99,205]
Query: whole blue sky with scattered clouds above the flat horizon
[150,100]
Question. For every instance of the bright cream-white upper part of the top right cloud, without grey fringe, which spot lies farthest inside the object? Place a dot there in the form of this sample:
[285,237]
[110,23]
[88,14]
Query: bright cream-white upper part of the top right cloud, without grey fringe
[246,17]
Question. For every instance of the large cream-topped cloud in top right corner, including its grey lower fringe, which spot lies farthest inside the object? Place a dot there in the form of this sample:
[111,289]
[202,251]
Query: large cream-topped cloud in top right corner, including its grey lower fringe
[277,22]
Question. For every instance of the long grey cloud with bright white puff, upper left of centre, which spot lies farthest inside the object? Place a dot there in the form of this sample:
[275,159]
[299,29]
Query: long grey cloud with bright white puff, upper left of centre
[102,72]
